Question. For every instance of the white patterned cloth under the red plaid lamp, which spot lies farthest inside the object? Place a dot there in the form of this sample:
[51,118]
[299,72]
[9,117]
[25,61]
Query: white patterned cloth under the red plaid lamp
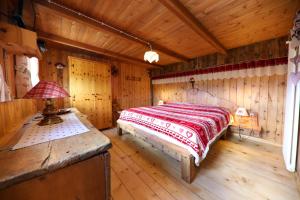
[35,134]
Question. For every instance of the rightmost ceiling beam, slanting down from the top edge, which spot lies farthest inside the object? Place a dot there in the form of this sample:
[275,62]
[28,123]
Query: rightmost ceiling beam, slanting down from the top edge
[177,8]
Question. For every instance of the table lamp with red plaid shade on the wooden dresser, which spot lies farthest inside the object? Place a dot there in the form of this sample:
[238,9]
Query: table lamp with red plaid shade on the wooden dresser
[47,90]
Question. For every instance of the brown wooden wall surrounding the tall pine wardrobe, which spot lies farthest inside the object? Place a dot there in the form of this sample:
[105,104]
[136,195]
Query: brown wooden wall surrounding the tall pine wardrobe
[130,86]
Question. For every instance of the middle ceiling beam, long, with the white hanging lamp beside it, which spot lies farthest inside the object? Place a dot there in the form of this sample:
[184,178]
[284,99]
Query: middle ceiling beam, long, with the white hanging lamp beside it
[111,28]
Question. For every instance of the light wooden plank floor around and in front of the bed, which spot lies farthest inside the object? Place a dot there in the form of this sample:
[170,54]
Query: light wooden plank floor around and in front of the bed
[232,170]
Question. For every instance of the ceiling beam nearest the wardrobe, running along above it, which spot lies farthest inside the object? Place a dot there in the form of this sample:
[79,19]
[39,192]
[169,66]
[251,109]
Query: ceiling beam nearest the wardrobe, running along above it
[90,48]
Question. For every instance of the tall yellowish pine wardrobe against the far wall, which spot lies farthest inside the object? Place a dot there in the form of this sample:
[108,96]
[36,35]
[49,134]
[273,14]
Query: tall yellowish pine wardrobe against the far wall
[90,90]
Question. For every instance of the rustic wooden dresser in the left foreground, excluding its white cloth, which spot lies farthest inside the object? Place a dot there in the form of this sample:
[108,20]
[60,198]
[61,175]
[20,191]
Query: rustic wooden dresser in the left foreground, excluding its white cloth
[76,167]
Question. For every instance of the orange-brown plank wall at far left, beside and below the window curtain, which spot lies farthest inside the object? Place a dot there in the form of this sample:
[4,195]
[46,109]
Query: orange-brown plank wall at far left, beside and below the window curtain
[14,113]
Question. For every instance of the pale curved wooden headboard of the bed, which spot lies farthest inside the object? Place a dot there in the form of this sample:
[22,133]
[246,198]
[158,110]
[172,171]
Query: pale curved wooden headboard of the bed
[197,96]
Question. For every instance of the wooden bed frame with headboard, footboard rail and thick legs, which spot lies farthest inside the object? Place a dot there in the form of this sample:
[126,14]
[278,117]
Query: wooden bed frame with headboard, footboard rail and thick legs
[188,167]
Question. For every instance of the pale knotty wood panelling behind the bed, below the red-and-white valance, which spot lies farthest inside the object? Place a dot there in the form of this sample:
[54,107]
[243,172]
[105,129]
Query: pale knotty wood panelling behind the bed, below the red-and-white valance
[262,95]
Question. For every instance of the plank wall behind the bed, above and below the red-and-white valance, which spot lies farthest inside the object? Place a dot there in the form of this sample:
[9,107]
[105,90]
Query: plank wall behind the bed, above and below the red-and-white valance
[263,95]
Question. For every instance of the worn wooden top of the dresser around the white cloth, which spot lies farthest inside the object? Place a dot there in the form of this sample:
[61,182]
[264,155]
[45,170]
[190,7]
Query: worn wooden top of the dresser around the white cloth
[26,163]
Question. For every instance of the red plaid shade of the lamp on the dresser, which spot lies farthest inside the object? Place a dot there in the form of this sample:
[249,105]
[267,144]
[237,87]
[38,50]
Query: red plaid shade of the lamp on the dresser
[46,90]
